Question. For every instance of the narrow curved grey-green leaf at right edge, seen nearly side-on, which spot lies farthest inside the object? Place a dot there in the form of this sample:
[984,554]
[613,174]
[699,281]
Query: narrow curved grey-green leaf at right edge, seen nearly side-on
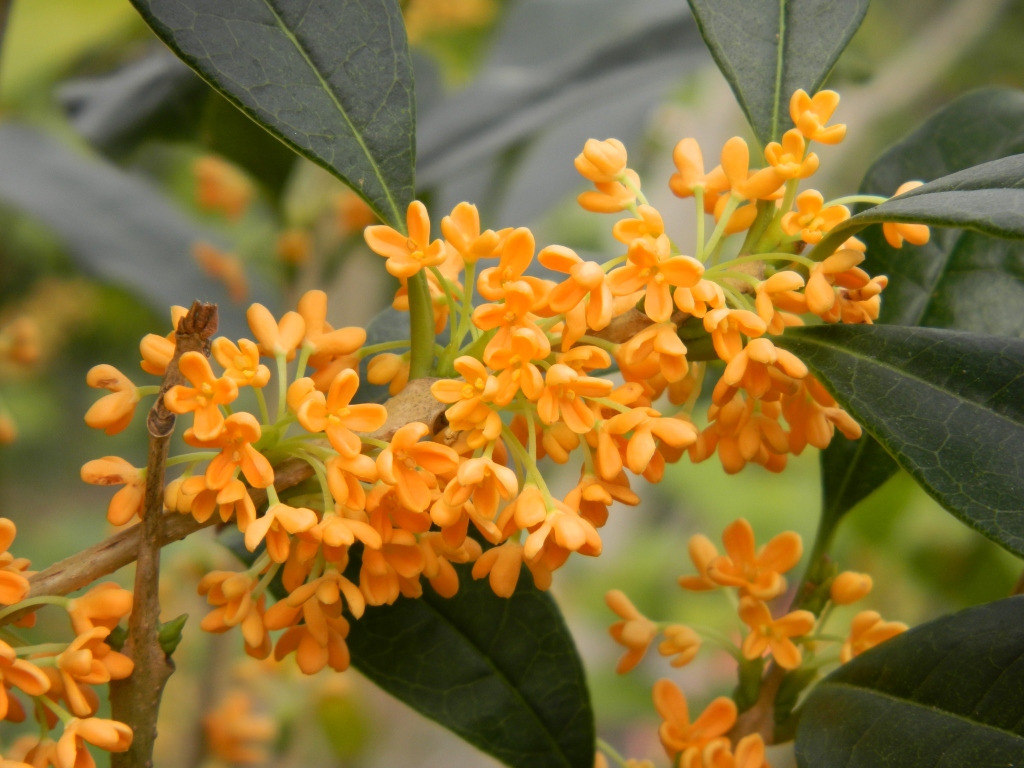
[987,198]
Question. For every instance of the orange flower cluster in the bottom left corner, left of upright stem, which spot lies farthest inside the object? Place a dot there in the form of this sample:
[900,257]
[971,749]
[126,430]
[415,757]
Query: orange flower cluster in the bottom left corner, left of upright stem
[59,677]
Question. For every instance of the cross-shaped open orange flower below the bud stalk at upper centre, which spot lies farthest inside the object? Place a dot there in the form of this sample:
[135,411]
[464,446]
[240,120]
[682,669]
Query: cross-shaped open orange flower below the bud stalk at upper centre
[651,267]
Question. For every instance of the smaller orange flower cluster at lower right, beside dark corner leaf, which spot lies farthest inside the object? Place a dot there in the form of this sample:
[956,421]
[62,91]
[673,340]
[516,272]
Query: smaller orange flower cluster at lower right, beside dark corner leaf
[795,641]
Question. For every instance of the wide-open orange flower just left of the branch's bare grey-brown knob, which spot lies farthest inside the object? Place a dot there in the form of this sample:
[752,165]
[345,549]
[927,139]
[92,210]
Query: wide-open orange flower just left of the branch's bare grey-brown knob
[340,420]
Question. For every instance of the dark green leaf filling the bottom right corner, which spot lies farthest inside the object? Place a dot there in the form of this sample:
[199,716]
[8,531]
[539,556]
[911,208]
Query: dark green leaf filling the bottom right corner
[948,694]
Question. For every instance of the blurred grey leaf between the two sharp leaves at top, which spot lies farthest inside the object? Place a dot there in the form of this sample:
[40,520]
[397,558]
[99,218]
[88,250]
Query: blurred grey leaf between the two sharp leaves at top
[551,62]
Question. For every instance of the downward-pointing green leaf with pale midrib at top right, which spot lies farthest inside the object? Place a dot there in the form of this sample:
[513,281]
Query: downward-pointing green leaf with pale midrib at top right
[770,49]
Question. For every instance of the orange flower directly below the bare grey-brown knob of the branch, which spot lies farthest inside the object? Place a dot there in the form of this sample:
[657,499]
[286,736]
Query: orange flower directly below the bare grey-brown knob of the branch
[399,464]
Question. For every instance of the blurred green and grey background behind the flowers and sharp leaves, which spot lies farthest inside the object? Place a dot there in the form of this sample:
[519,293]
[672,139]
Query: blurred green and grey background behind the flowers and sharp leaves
[97,264]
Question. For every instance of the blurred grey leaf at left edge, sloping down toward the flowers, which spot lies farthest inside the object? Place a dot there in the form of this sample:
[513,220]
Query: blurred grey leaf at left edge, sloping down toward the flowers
[116,226]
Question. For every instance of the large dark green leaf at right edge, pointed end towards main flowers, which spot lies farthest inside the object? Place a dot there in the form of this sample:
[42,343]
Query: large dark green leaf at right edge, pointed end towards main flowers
[949,407]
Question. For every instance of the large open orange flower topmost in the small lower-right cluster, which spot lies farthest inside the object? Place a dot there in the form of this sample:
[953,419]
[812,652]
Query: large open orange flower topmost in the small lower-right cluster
[755,573]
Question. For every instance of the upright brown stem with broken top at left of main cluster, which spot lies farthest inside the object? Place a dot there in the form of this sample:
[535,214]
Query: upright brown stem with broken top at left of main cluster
[136,701]
